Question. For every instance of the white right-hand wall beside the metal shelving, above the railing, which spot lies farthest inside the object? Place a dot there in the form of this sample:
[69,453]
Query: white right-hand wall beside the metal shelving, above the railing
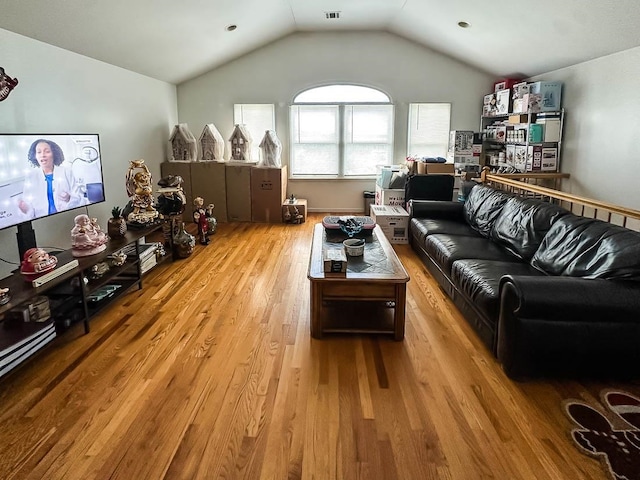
[600,146]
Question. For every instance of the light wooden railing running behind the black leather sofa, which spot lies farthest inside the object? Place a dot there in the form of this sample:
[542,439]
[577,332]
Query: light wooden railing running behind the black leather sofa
[520,184]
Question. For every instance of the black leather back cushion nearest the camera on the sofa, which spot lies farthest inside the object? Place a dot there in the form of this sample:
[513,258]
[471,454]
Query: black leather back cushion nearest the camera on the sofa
[584,247]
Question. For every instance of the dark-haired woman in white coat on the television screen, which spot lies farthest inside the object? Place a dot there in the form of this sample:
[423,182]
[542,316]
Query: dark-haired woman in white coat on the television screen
[50,187]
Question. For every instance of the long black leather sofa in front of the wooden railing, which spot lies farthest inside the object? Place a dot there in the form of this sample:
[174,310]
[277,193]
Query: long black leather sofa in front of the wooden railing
[548,292]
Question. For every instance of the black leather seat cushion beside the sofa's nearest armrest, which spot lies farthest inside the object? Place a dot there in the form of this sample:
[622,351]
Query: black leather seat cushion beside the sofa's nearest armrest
[479,280]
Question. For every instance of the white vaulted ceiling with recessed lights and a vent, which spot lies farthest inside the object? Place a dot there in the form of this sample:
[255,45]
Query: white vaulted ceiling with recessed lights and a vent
[178,40]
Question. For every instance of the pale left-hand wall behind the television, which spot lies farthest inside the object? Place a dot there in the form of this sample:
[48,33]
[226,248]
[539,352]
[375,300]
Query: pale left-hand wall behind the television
[60,91]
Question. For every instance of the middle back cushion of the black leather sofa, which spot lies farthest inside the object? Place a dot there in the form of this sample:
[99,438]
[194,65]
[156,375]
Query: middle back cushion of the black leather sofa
[523,223]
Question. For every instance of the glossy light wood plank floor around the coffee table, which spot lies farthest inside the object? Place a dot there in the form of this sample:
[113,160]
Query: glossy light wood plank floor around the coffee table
[209,372]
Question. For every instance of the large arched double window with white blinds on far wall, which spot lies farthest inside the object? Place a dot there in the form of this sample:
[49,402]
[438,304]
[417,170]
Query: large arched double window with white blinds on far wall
[340,131]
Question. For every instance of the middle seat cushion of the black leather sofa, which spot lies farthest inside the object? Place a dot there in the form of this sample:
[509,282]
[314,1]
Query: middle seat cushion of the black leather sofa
[446,249]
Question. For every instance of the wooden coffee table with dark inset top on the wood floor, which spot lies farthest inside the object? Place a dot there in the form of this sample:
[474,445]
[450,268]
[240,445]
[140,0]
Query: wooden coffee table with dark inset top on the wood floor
[375,283]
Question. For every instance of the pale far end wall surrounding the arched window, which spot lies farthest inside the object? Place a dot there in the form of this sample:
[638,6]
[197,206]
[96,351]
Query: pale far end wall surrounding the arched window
[279,71]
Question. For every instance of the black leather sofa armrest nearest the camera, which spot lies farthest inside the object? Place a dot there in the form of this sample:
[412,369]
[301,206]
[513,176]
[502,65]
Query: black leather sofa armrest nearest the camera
[565,325]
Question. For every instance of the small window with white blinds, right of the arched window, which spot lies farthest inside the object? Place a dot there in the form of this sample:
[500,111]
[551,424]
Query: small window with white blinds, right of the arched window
[429,126]
